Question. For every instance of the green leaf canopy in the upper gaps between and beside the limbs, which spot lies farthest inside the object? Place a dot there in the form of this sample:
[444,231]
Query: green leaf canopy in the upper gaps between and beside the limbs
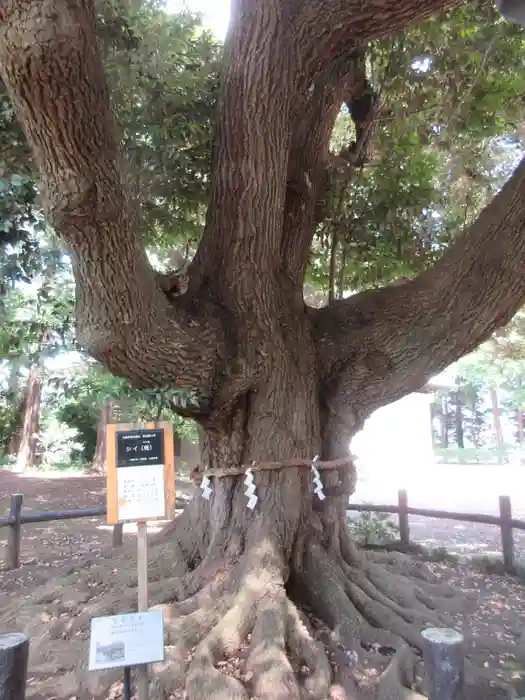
[452,103]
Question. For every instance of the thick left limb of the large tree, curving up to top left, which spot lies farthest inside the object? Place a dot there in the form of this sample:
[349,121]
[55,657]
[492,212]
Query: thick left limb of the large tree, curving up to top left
[51,66]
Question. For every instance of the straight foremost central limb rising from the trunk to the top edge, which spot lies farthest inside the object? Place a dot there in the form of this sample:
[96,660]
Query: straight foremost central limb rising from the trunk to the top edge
[252,141]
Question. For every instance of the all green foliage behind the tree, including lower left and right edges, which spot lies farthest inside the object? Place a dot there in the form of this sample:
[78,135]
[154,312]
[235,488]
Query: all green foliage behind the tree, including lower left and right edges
[447,136]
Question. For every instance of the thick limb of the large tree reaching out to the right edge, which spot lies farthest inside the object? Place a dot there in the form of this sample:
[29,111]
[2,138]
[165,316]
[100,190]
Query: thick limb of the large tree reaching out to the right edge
[377,346]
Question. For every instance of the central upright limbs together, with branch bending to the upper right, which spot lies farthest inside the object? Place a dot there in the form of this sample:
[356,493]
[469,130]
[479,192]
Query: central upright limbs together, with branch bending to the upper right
[289,83]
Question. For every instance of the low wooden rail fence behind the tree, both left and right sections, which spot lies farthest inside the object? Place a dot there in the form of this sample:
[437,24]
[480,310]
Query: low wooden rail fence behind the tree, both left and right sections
[504,521]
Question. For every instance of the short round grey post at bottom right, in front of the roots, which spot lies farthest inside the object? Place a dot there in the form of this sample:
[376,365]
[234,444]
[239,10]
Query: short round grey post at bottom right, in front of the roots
[444,659]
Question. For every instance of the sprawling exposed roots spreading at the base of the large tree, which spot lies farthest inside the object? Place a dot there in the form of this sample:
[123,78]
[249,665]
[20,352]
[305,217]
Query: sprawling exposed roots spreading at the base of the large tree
[233,624]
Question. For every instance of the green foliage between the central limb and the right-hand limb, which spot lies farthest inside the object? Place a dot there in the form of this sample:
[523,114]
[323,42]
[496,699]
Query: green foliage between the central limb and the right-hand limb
[447,138]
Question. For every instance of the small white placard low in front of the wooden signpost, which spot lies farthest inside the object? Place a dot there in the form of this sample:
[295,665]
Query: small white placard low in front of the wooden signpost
[131,639]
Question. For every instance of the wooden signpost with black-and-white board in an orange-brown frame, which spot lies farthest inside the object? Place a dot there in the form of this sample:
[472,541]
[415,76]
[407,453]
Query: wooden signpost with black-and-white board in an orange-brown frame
[140,487]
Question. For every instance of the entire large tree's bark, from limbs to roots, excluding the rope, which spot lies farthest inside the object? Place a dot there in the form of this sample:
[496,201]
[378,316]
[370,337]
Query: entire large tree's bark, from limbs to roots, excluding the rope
[274,380]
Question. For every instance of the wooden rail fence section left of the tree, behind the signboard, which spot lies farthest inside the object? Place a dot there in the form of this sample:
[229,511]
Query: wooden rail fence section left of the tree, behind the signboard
[16,519]
